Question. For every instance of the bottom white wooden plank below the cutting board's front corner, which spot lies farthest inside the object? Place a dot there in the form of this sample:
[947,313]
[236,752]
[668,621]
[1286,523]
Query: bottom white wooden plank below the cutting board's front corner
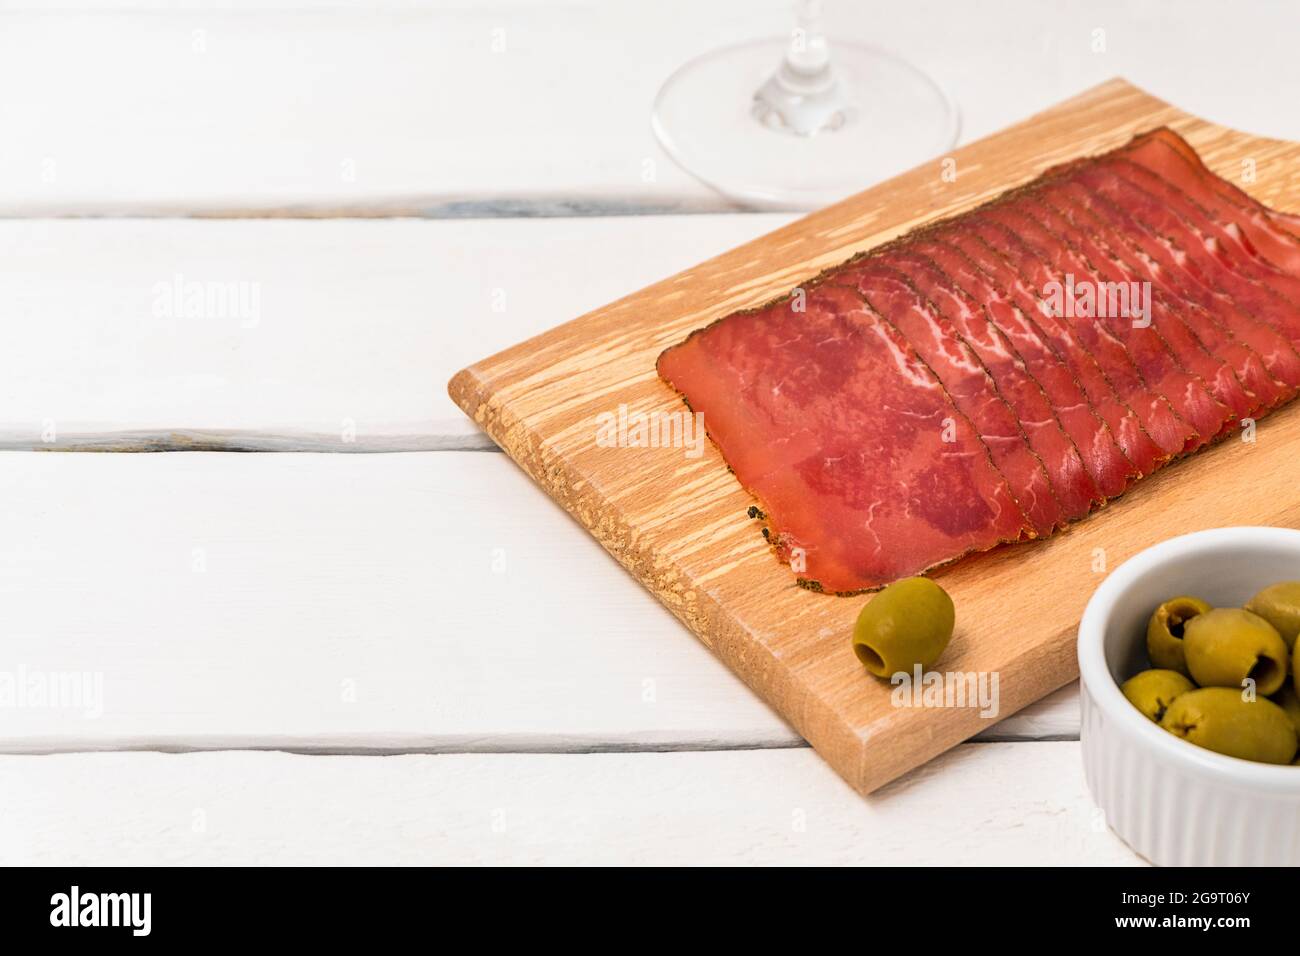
[977,806]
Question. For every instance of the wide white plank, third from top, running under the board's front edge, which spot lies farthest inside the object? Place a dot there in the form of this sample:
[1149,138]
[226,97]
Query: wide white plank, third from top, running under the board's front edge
[430,602]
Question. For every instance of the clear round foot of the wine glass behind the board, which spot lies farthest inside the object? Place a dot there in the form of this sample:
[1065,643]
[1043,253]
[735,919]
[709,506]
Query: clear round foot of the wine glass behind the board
[704,116]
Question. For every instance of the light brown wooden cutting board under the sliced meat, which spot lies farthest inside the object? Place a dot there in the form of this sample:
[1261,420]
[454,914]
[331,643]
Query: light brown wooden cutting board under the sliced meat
[681,524]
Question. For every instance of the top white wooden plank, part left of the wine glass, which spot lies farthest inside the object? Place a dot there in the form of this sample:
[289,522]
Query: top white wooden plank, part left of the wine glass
[393,109]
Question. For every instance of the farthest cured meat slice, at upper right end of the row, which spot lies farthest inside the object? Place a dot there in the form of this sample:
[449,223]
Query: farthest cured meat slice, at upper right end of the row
[1266,233]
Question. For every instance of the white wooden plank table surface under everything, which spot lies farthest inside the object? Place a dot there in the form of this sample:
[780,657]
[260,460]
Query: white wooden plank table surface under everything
[411,655]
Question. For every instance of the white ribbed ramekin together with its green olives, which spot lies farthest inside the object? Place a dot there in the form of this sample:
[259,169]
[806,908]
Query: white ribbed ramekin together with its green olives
[1191,723]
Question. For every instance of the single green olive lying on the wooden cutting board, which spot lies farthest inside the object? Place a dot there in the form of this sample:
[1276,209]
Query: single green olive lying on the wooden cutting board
[908,624]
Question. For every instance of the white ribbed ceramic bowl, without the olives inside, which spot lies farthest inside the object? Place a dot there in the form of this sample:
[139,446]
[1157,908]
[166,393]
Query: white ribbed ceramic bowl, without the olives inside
[1176,803]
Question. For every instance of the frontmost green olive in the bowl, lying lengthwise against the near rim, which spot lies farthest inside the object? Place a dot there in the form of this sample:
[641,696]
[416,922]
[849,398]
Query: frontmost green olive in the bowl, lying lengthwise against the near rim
[1221,720]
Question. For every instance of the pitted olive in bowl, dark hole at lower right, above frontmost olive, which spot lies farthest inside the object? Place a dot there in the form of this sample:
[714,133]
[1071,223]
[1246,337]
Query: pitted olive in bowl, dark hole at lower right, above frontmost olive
[1228,646]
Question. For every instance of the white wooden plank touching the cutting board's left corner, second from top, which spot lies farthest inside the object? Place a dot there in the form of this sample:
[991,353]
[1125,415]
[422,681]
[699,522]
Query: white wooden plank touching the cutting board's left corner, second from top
[323,335]
